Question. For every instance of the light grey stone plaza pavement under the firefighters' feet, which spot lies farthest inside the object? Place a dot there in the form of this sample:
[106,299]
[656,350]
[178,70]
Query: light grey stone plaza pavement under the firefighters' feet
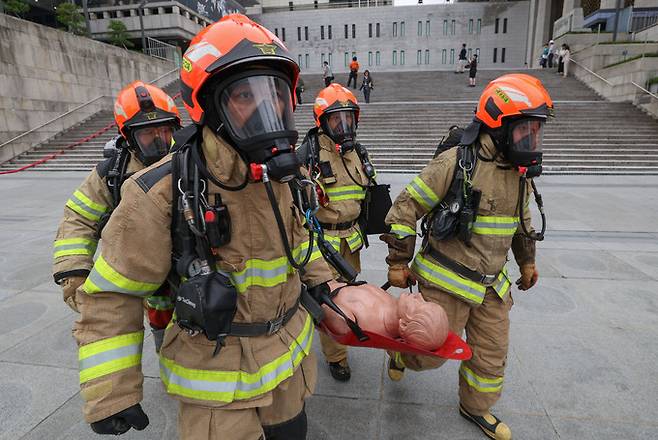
[583,362]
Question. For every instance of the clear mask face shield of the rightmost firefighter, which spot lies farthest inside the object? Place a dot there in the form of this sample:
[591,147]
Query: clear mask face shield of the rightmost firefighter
[525,140]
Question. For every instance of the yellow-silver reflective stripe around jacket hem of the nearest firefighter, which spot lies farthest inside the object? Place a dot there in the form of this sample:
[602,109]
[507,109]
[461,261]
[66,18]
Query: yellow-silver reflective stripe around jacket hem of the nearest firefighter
[227,386]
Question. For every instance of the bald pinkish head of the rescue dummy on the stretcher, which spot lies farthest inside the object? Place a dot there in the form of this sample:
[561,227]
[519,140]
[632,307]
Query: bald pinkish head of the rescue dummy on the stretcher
[423,324]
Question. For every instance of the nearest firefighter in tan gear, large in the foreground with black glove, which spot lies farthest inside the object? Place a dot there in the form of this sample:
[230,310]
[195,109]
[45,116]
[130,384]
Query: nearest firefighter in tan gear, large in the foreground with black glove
[219,212]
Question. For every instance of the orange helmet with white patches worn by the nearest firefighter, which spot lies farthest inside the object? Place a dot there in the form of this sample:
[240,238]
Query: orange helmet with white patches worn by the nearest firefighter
[234,40]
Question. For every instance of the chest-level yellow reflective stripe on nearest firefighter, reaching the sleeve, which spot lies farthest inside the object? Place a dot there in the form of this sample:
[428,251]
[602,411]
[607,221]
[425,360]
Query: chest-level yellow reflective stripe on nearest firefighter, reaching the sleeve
[269,273]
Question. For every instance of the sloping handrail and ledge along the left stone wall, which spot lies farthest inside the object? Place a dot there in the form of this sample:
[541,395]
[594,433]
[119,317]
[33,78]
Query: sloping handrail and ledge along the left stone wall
[37,135]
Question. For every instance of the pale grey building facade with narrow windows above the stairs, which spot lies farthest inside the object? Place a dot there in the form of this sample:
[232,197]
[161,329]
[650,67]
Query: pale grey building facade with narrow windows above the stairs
[405,38]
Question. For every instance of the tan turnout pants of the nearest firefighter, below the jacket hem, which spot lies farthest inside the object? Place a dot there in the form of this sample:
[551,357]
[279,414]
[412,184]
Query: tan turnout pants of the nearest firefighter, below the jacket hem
[204,423]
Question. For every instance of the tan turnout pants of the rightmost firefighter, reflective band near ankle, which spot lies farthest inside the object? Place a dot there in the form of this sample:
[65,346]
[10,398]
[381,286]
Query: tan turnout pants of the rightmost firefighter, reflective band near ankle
[487,333]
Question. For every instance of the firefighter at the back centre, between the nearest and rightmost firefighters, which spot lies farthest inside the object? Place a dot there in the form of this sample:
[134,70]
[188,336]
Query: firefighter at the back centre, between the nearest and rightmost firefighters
[334,160]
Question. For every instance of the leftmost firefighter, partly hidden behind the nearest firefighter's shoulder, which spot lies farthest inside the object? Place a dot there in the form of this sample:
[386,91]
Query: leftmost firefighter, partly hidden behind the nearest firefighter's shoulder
[146,118]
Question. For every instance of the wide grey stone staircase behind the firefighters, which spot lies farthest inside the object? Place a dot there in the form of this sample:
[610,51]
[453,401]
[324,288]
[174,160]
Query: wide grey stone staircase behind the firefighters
[588,136]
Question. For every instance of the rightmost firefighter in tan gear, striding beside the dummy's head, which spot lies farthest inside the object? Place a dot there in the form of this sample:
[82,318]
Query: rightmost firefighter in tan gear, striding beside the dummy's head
[473,201]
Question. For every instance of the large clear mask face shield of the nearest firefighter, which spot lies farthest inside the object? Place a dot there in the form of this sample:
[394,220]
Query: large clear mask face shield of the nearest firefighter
[258,112]
